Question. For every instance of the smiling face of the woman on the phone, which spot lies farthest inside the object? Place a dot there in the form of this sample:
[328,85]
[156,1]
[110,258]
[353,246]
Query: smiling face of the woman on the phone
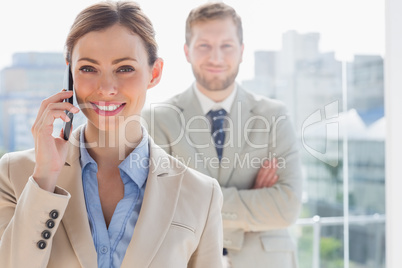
[111,76]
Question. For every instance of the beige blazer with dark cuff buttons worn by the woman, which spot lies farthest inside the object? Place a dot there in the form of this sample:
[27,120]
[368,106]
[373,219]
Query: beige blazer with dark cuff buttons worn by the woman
[179,224]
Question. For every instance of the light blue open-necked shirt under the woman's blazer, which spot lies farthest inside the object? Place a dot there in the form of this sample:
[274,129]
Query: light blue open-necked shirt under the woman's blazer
[111,243]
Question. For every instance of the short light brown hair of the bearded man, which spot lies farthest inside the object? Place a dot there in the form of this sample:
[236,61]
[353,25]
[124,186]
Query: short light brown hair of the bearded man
[212,11]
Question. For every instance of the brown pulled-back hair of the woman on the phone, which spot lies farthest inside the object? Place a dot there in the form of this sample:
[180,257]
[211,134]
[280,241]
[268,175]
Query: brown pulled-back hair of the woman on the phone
[103,15]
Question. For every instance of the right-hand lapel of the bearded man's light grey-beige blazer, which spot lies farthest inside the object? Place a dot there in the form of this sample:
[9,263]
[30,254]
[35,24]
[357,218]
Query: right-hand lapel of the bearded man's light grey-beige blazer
[235,136]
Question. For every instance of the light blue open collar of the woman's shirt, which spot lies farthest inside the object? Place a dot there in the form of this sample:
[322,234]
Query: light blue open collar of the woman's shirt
[135,165]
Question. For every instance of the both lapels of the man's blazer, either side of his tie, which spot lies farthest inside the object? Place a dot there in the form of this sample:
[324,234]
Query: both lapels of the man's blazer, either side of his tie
[240,113]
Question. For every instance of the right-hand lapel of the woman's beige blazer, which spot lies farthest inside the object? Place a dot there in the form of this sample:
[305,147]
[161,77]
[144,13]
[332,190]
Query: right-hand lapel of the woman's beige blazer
[158,208]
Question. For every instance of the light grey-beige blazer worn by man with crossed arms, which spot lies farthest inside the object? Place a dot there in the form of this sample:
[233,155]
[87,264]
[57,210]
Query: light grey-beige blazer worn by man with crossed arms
[255,222]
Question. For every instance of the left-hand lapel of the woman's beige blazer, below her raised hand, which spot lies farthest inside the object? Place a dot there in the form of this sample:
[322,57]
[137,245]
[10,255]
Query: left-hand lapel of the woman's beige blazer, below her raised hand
[75,220]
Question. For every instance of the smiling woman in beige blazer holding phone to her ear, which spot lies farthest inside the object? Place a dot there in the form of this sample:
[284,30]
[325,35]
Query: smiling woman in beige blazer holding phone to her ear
[108,197]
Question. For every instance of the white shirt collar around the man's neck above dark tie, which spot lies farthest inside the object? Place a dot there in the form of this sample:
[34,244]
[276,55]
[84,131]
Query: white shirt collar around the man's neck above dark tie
[207,104]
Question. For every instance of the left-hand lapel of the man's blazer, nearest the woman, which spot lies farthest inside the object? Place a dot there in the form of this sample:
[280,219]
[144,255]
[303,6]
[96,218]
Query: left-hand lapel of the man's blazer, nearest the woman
[198,131]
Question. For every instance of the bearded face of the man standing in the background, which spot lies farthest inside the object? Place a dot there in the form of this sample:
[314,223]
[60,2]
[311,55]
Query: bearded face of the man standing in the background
[214,53]
